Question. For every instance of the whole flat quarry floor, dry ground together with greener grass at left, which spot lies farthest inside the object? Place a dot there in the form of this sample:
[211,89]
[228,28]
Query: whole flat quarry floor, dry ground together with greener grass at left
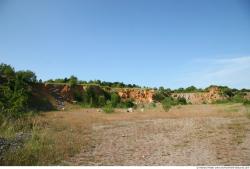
[185,135]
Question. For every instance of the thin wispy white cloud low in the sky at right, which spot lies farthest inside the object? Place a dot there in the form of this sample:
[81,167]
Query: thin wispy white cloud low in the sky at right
[233,72]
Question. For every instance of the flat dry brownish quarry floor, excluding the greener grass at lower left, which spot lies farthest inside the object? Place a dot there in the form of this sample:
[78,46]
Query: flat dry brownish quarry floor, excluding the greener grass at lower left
[186,135]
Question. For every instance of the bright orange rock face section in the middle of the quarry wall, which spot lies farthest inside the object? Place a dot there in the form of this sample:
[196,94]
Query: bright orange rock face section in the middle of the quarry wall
[138,95]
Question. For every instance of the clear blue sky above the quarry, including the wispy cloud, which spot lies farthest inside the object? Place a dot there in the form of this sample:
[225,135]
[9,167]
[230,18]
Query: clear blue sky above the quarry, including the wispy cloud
[170,43]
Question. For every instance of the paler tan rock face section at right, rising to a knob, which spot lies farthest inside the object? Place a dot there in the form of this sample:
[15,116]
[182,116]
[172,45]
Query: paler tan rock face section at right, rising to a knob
[201,97]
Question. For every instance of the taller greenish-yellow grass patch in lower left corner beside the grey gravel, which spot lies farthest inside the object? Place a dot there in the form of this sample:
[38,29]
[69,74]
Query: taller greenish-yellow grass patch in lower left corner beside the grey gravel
[52,140]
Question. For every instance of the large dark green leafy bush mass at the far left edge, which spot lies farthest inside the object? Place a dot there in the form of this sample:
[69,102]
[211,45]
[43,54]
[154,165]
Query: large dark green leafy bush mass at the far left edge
[15,91]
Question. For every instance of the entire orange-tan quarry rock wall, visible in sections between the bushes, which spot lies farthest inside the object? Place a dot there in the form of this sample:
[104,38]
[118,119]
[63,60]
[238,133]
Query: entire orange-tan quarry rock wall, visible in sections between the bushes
[59,94]
